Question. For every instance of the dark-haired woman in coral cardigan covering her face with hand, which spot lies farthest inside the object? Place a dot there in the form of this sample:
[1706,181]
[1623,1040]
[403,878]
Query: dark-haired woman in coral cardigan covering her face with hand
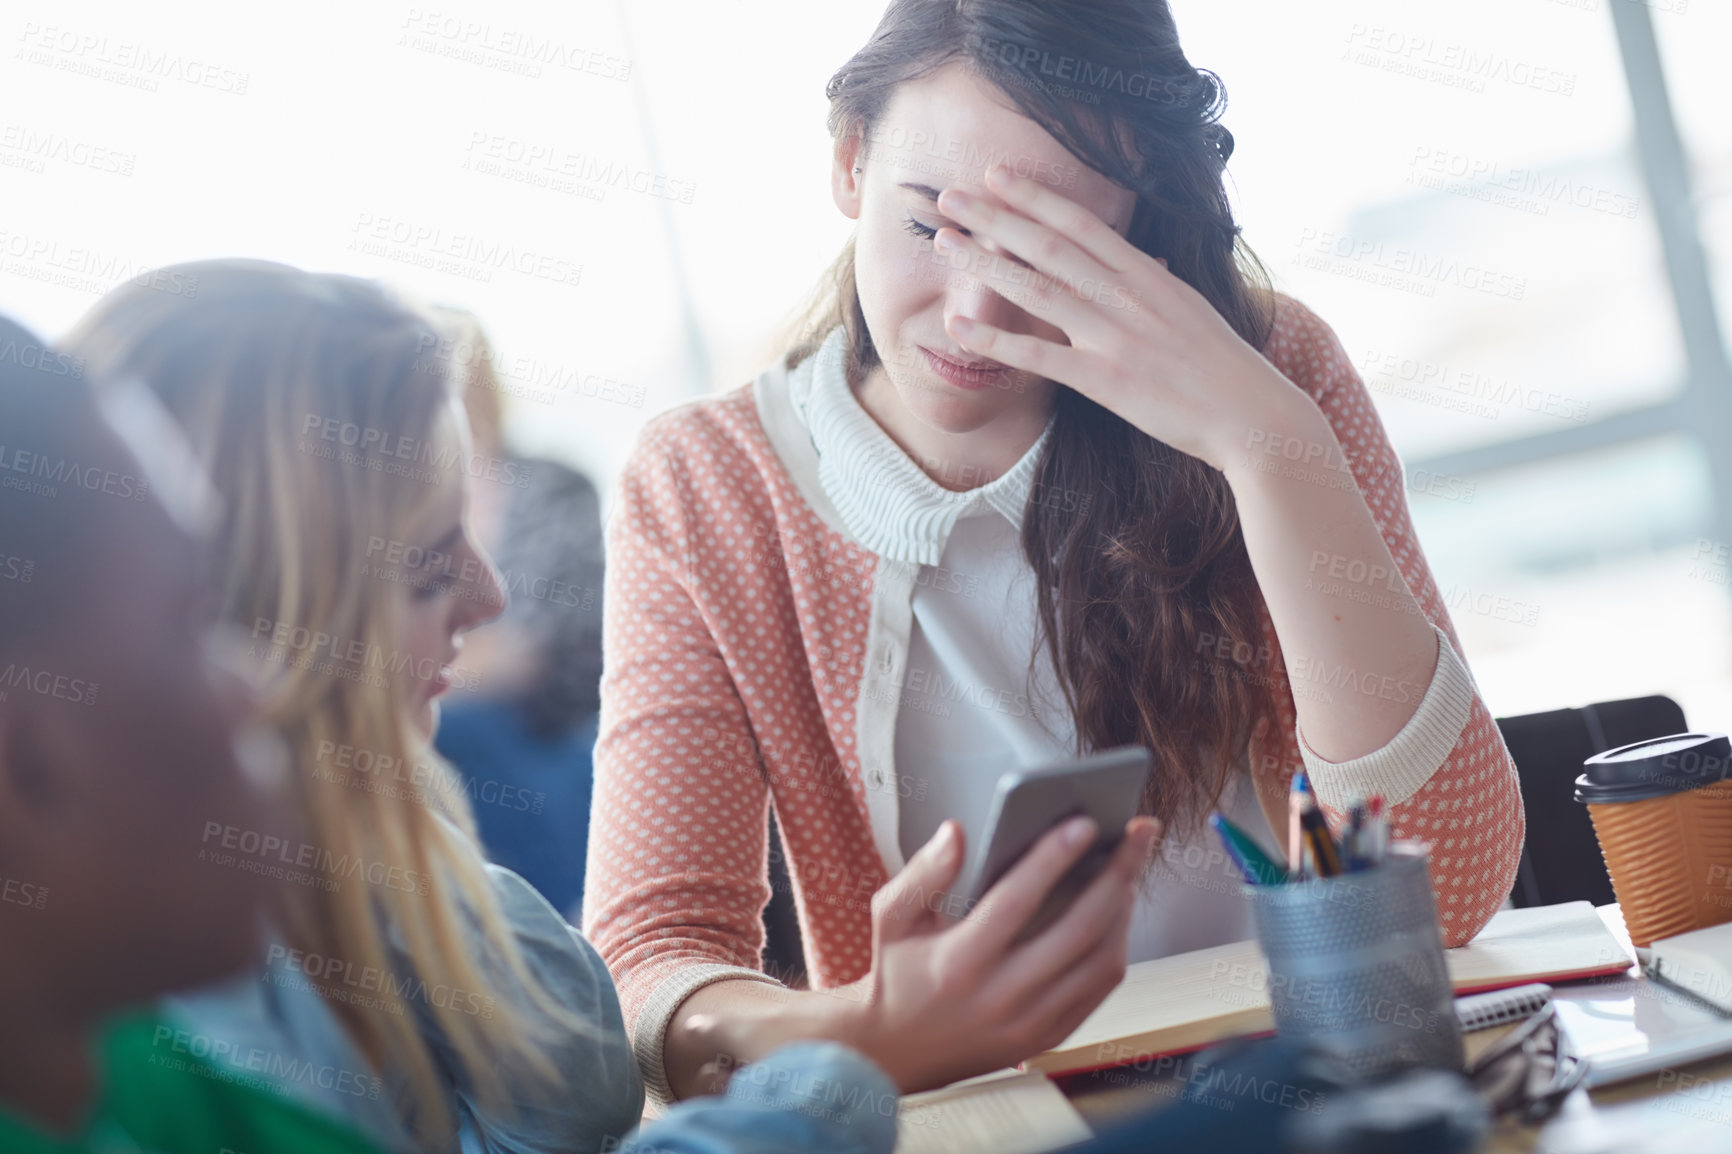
[1052,470]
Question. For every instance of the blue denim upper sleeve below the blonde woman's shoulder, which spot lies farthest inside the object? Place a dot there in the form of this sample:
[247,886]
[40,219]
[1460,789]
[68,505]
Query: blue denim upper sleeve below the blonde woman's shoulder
[598,1096]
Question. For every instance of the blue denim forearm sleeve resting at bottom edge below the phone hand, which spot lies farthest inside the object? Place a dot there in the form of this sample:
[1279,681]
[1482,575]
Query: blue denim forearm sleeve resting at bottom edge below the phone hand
[805,1098]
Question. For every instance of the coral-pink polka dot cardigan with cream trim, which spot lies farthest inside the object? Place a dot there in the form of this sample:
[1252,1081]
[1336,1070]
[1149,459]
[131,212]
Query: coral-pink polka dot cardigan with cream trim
[749,647]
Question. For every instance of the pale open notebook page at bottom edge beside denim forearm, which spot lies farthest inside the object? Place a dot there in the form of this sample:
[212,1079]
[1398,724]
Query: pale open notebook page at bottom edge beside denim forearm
[1005,1113]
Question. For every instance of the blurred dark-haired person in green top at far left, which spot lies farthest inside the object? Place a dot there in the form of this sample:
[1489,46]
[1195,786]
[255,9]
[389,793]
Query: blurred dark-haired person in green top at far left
[124,744]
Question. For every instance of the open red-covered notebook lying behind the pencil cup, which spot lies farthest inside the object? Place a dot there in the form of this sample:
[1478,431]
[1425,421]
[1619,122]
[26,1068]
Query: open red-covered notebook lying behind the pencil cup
[1194,1001]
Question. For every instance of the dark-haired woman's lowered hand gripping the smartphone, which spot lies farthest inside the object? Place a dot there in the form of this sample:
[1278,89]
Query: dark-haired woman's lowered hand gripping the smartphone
[950,1001]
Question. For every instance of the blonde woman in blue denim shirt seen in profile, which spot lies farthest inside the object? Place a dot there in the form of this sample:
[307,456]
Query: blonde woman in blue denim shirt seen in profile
[410,987]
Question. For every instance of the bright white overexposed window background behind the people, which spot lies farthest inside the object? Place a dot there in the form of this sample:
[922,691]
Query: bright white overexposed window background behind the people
[136,138]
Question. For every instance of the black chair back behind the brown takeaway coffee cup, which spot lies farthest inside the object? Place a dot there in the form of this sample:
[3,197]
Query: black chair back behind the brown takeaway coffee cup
[1561,860]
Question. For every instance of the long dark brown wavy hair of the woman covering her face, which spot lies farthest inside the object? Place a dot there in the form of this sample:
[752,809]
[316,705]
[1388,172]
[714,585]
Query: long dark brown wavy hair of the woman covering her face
[1144,580]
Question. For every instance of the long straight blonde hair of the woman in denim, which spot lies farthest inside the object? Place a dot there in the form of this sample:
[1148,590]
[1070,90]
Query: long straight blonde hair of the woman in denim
[255,366]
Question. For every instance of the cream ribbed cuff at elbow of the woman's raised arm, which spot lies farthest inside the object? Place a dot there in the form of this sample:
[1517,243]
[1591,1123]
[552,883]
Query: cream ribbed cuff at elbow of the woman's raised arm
[1407,763]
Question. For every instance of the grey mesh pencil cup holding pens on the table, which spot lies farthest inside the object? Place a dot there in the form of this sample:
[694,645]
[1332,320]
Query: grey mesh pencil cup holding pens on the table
[1357,966]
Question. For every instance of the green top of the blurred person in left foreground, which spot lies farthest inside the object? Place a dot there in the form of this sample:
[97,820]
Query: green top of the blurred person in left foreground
[164,1099]
